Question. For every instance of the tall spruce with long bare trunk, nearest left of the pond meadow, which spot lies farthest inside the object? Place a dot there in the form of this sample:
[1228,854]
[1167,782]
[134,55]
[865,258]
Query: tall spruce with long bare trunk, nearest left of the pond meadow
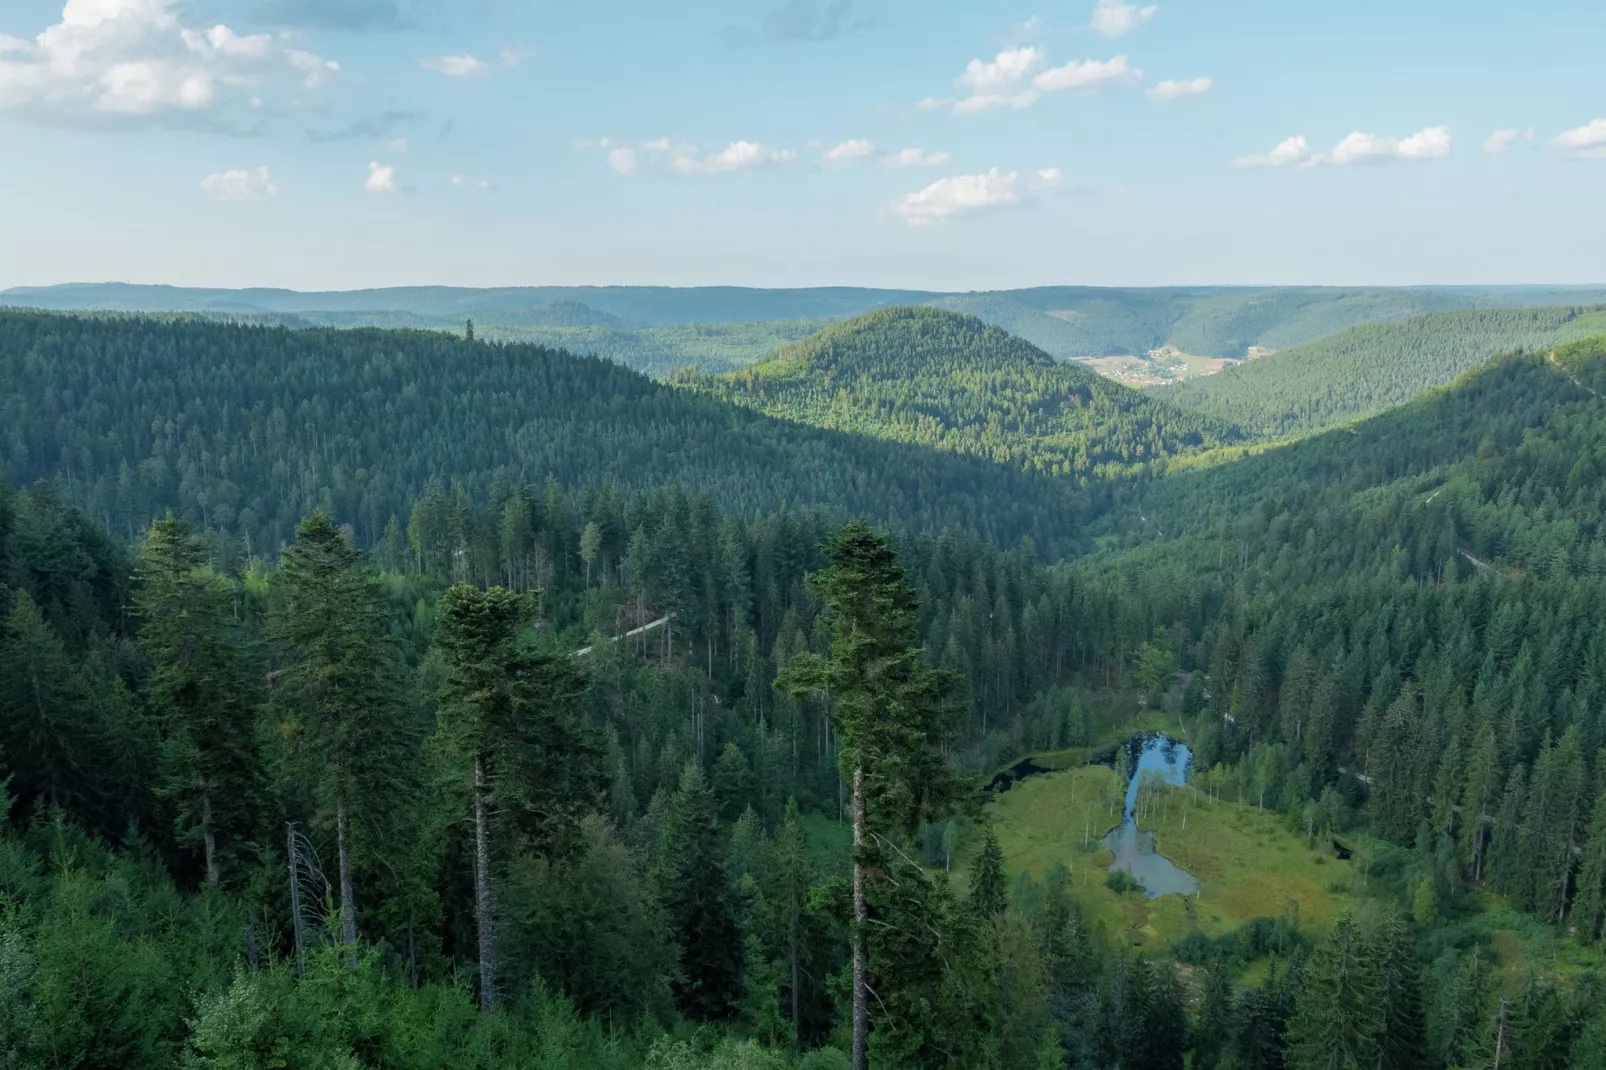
[887,708]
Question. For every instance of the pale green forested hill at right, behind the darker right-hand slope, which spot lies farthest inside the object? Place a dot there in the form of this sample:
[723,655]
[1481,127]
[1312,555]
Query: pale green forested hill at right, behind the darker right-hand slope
[1369,369]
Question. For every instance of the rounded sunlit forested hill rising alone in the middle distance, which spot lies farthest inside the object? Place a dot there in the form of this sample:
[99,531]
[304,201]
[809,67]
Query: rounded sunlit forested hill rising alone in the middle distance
[950,382]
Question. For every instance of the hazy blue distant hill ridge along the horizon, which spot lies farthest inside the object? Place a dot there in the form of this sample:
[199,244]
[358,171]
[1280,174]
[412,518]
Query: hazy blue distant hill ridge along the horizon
[1066,322]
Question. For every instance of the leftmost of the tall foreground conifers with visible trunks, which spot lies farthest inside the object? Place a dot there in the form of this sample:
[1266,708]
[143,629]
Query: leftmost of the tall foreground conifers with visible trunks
[200,690]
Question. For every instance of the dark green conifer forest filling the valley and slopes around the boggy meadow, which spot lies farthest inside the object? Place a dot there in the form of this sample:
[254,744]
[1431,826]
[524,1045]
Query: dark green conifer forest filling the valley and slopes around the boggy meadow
[603,754]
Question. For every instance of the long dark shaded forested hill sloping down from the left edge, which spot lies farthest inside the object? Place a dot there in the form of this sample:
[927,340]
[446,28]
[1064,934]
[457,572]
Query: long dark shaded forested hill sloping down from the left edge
[248,430]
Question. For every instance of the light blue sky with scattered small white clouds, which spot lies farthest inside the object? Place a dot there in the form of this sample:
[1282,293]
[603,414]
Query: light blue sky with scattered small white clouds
[919,144]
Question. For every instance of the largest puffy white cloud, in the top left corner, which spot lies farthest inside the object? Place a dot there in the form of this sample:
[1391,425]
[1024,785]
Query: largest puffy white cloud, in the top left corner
[134,59]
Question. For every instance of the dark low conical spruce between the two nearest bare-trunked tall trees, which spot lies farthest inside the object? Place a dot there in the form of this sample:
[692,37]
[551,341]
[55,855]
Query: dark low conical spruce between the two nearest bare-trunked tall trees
[696,894]
